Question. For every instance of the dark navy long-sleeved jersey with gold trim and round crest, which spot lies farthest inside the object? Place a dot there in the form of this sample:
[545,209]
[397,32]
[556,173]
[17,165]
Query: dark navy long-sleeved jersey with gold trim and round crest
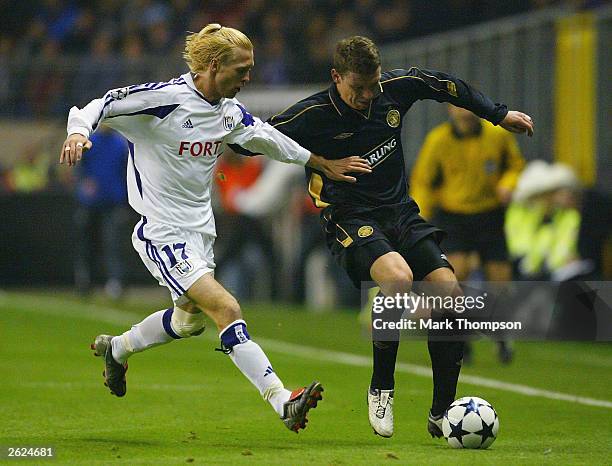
[326,126]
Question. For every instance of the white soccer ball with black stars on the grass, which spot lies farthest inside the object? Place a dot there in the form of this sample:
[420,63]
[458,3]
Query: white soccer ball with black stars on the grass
[470,422]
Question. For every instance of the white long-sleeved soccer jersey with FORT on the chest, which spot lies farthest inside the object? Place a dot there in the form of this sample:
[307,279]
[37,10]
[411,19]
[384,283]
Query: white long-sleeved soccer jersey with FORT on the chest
[175,136]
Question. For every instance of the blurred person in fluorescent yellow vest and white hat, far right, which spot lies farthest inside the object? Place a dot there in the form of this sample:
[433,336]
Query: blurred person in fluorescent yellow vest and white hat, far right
[555,232]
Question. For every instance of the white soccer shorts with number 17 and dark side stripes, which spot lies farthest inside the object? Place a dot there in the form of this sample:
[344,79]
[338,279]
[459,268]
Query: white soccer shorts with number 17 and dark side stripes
[174,256]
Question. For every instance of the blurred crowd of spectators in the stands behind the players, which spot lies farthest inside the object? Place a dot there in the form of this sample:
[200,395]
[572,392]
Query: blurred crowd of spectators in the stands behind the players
[117,42]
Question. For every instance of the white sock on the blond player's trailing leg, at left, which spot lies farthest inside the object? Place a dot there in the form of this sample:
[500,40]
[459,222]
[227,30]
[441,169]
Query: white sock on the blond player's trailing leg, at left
[144,335]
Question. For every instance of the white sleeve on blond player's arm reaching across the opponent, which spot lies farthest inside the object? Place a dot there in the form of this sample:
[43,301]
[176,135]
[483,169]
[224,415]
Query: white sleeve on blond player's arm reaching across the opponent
[261,138]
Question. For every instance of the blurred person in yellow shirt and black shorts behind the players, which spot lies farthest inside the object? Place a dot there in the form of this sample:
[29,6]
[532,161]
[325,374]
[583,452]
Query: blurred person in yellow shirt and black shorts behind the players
[462,180]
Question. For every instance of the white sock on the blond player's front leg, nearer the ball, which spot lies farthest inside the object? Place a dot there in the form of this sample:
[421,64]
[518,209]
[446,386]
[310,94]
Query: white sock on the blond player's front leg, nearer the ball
[254,364]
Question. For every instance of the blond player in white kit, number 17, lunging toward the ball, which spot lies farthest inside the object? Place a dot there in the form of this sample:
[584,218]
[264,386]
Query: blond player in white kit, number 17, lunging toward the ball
[176,130]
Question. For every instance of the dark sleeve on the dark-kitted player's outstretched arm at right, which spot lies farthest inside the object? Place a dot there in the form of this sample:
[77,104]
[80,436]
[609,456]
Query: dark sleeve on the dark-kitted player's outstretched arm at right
[416,84]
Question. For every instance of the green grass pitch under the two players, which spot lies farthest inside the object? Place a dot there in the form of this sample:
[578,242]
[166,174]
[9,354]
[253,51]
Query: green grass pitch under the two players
[188,404]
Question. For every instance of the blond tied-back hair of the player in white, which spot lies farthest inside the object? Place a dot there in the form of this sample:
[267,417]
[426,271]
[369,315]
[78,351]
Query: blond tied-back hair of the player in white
[213,42]
